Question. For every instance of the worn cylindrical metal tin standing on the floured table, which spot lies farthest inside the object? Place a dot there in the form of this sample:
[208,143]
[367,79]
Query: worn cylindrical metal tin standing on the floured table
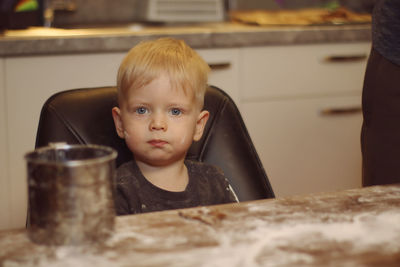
[71,194]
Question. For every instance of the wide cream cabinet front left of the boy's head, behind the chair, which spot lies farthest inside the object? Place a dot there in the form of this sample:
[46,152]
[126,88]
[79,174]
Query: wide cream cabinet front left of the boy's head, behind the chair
[30,82]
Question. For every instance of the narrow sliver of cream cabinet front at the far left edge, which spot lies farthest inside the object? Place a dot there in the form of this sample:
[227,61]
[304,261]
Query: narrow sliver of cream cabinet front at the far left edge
[4,185]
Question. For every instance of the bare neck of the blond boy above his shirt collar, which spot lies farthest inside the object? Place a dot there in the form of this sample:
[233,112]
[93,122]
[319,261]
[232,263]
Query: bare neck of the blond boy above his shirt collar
[173,177]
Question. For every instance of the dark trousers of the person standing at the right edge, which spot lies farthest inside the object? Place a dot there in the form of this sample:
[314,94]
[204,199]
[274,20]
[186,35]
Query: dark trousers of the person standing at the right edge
[380,135]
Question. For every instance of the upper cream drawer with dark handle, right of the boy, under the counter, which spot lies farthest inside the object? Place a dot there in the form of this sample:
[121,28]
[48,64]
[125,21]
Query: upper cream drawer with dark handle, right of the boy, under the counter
[287,71]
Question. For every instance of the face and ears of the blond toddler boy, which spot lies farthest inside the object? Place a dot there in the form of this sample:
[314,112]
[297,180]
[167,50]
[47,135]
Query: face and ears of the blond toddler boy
[159,123]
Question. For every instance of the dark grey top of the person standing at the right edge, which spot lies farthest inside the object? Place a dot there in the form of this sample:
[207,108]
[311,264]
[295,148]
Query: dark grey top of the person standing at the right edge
[386,29]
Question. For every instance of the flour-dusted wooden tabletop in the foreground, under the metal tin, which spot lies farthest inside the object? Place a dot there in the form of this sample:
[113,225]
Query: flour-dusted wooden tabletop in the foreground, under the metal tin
[357,227]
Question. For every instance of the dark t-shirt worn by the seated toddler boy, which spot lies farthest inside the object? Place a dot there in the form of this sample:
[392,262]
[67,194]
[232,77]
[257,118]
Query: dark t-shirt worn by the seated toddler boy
[135,194]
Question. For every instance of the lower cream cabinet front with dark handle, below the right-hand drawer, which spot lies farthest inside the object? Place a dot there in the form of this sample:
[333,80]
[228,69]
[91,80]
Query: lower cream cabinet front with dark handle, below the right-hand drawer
[307,144]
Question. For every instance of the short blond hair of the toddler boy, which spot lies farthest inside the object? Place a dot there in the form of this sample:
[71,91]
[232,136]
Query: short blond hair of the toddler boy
[147,60]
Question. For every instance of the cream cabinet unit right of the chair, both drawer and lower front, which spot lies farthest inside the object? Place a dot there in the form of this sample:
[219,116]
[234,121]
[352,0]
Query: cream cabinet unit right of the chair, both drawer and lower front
[301,105]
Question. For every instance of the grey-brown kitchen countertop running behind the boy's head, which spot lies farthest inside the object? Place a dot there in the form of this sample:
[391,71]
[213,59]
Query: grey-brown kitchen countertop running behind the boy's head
[43,41]
